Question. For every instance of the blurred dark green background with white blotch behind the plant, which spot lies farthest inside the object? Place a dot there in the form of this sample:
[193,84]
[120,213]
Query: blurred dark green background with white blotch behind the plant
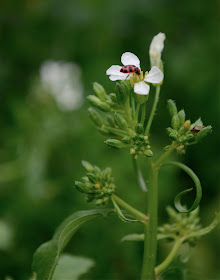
[43,138]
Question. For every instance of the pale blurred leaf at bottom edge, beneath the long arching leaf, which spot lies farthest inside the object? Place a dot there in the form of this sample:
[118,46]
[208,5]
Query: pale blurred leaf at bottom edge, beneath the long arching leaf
[72,267]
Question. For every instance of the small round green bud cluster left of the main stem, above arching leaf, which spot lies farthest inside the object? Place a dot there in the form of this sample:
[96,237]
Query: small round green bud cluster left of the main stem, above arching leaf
[97,184]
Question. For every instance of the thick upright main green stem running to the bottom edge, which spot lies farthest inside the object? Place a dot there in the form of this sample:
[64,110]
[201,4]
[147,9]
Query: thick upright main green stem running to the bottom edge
[150,242]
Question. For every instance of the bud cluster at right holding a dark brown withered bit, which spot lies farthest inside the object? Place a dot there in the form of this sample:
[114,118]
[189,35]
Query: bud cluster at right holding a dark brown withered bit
[182,131]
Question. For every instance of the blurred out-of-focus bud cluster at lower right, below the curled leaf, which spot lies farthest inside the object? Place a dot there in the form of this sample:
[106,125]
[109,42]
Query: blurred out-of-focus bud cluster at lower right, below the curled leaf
[181,225]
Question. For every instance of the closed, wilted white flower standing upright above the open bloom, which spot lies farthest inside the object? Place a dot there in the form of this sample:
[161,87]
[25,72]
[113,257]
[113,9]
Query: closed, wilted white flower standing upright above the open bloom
[156,48]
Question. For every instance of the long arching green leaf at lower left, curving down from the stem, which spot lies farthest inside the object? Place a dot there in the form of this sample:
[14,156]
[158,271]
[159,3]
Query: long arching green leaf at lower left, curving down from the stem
[47,255]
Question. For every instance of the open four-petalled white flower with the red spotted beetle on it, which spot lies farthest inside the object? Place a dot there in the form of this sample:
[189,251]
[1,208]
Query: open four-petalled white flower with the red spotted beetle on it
[155,76]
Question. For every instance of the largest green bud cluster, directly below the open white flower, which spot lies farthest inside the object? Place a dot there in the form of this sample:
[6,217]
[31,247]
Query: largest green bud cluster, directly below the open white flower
[124,130]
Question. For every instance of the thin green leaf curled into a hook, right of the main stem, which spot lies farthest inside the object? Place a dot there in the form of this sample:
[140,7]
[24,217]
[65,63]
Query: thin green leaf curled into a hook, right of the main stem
[177,200]
